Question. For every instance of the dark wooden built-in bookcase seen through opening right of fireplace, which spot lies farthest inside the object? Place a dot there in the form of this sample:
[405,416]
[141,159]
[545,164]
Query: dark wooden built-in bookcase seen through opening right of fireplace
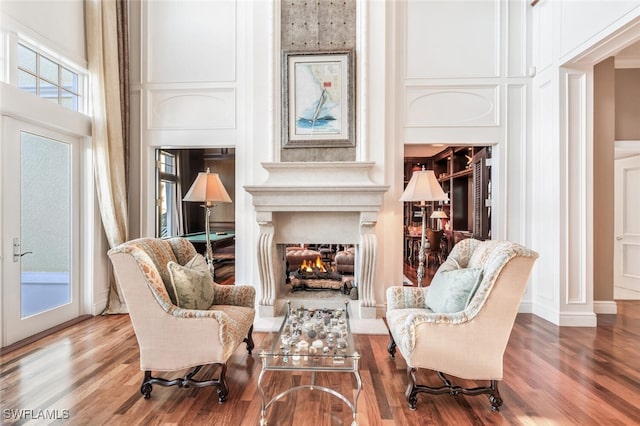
[465,175]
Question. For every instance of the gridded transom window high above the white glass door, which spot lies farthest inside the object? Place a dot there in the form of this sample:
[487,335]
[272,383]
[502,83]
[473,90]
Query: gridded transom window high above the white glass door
[47,78]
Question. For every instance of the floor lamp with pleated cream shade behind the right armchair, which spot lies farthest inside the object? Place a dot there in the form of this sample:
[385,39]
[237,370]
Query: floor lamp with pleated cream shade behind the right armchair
[423,187]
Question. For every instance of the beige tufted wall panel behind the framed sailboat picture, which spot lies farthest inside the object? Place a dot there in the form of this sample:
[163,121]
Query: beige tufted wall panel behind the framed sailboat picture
[311,26]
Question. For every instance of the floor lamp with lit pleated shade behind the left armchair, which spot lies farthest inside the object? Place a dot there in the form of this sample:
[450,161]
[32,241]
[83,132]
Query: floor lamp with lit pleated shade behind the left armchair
[208,189]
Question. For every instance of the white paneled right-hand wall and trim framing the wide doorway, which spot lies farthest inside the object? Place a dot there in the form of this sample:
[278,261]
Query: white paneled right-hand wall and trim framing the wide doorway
[569,38]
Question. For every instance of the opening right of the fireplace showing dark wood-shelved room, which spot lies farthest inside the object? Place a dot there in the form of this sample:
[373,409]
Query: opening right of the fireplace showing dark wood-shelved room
[464,173]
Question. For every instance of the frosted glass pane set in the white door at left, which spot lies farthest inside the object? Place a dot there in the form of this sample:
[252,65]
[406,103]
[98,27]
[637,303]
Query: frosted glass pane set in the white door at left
[45,217]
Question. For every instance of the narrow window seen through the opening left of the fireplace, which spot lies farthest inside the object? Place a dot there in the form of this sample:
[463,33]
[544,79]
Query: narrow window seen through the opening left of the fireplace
[169,195]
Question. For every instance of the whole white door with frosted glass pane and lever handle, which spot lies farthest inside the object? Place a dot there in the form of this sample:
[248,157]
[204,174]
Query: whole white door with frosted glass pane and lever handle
[40,229]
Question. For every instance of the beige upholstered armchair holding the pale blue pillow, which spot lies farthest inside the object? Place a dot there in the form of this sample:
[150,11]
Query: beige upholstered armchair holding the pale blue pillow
[461,323]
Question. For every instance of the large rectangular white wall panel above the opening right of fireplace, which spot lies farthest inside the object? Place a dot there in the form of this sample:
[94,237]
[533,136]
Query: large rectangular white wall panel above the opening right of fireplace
[441,47]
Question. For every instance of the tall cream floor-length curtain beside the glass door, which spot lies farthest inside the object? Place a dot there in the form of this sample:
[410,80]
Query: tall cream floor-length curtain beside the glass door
[107,54]
